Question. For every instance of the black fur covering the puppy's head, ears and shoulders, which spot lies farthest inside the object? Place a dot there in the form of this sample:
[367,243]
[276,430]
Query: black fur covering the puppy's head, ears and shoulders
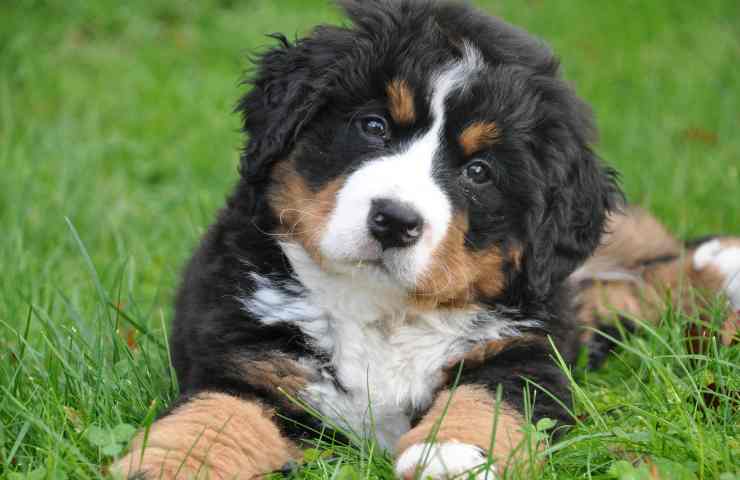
[550,196]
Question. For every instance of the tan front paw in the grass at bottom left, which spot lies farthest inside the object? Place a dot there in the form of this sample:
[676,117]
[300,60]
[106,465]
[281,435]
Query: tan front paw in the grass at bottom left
[212,436]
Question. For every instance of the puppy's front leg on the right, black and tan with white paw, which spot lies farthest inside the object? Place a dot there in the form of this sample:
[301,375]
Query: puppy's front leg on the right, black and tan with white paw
[466,426]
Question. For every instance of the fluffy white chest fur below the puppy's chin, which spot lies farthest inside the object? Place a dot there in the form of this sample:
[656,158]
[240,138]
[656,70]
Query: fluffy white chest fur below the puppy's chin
[387,360]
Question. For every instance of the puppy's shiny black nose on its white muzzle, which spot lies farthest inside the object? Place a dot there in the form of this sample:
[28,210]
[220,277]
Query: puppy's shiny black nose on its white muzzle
[394,224]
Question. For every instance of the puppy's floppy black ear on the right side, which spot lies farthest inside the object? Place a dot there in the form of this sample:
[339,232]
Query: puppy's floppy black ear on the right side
[567,224]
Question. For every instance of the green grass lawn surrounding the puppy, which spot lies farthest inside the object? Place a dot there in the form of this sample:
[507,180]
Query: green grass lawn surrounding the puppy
[117,145]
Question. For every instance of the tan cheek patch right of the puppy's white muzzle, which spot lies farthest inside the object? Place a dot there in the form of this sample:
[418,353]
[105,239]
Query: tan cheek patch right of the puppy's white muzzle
[456,275]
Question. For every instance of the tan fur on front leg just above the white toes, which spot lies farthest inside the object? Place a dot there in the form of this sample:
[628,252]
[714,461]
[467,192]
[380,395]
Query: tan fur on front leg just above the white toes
[470,419]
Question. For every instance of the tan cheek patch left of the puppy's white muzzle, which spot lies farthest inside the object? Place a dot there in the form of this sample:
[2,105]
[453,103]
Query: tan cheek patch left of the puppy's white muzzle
[303,214]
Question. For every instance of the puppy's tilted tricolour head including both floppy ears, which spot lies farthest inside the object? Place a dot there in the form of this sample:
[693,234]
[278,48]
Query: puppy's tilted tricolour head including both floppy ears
[429,144]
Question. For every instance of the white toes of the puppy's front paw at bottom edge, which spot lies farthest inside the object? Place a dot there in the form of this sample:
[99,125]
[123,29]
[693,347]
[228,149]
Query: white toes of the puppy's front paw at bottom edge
[443,461]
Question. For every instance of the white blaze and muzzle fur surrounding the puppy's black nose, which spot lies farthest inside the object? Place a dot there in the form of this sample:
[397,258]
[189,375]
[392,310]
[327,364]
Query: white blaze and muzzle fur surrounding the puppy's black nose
[407,177]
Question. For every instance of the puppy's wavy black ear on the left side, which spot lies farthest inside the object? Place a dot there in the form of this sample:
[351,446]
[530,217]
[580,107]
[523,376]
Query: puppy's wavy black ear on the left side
[285,94]
